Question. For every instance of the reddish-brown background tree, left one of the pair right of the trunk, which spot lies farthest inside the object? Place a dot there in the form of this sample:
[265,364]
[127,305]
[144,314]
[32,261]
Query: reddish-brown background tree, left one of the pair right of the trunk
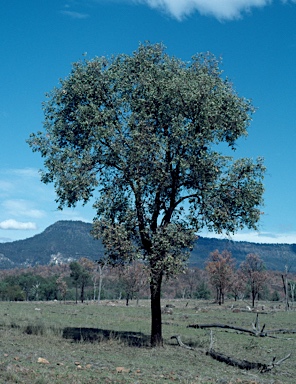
[220,268]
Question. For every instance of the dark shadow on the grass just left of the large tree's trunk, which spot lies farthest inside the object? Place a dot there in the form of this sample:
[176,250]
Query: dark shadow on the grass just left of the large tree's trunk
[136,339]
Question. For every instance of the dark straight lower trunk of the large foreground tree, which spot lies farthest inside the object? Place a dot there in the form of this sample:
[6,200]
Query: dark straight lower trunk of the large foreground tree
[156,328]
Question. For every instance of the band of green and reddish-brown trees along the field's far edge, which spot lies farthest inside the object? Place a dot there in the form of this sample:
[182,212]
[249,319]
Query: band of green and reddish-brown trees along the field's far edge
[85,279]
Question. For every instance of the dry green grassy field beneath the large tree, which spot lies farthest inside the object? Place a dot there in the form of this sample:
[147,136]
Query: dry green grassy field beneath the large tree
[109,343]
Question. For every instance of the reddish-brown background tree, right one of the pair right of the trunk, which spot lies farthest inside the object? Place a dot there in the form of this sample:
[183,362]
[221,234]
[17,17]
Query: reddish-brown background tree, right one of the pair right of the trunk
[253,270]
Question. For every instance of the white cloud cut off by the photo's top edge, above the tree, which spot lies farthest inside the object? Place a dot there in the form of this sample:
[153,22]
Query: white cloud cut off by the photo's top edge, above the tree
[221,9]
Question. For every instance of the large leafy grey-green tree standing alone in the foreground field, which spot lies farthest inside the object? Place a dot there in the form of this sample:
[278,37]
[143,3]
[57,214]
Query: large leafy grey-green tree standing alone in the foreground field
[140,133]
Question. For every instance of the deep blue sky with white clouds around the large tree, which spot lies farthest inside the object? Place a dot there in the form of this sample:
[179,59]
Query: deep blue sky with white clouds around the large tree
[40,39]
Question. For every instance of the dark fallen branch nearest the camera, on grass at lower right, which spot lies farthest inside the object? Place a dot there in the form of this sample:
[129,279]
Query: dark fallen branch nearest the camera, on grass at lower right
[242,364]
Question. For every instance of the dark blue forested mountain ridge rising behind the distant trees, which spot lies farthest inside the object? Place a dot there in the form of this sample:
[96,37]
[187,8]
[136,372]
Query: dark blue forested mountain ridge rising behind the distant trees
[70,240]
